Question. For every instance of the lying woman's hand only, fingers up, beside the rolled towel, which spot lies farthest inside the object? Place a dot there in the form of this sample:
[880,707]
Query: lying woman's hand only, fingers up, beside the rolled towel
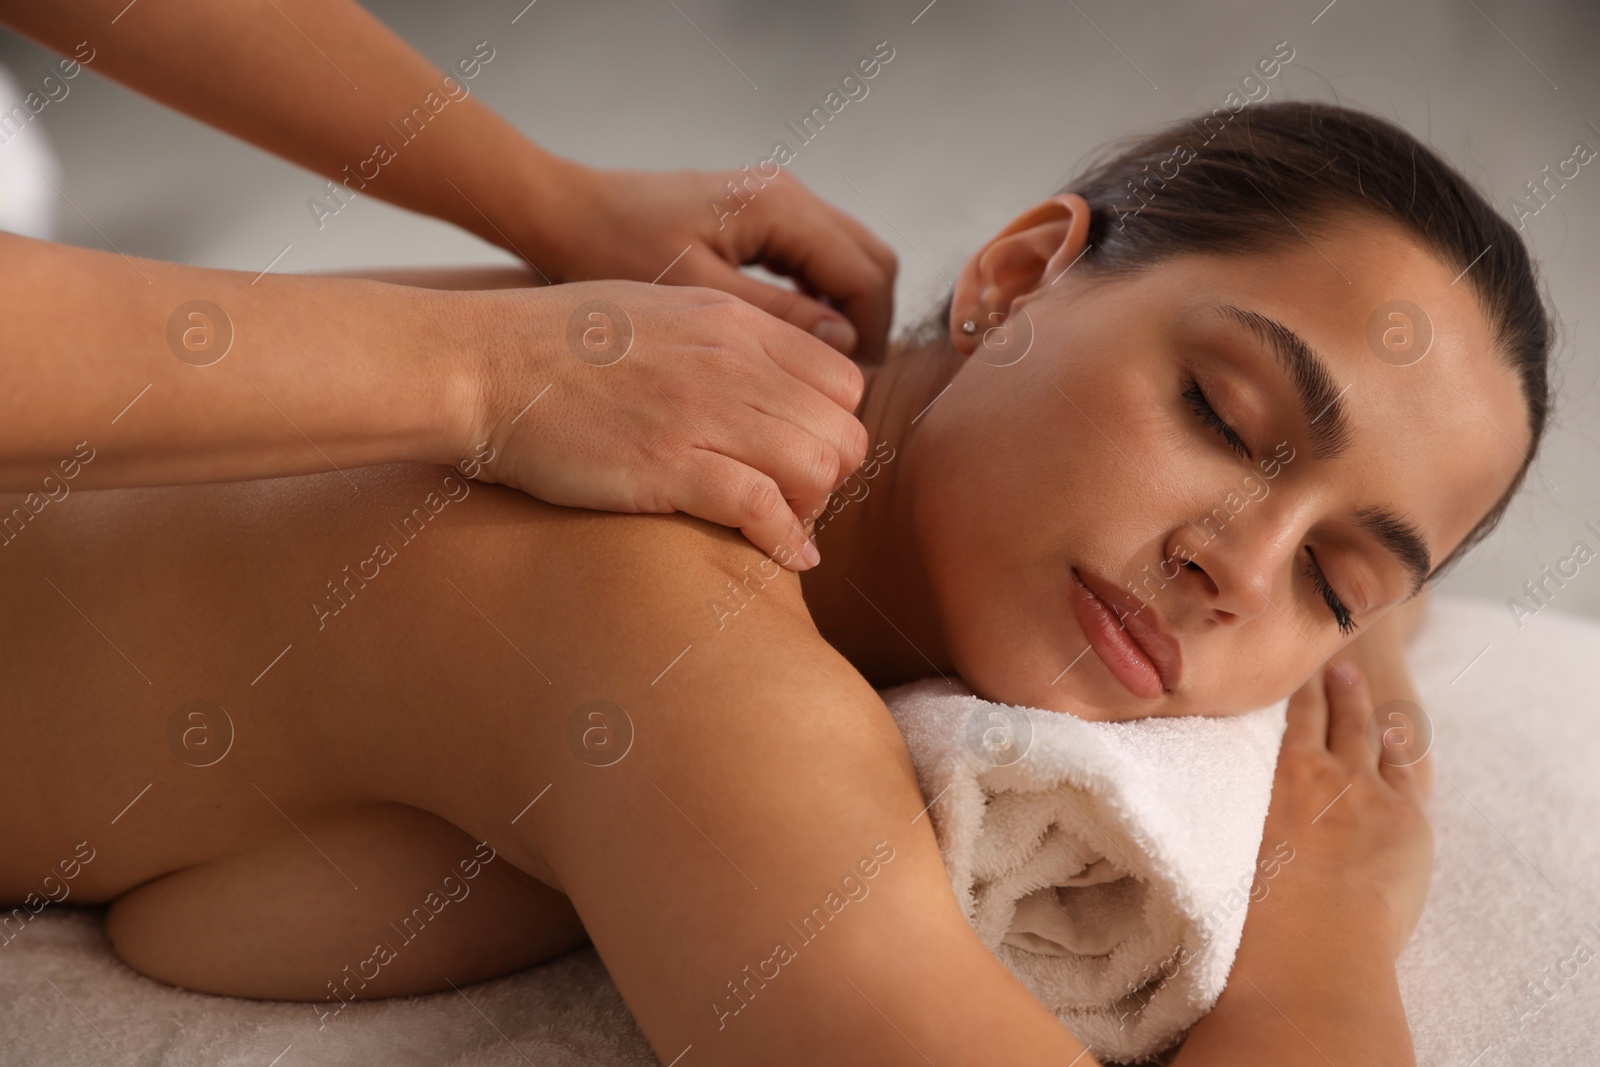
[1356,823]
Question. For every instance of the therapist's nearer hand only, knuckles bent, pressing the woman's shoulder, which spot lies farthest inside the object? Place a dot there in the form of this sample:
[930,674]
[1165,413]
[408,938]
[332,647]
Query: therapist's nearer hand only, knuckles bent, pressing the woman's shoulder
[634,398]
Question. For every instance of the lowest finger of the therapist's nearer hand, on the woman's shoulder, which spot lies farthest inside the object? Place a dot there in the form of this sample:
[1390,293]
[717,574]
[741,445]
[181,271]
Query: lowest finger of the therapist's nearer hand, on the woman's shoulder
[730,494]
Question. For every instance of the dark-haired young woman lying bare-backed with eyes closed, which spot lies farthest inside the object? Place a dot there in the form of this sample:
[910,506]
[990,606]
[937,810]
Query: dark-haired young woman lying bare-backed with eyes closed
[282,714]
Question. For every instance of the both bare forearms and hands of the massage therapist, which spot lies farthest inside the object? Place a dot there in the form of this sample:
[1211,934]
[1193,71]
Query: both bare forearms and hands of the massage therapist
[188,375]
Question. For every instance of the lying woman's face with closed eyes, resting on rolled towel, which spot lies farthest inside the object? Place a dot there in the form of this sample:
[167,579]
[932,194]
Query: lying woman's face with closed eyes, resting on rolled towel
[1156,444]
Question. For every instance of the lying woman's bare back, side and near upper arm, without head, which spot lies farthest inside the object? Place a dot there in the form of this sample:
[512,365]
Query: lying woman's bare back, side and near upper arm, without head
[358,762]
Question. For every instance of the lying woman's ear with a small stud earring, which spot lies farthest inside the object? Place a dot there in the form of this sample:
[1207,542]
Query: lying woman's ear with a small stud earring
[1031,254]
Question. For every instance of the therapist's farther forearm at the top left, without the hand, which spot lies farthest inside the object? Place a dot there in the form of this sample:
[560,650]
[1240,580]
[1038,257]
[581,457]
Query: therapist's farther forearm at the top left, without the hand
[319,82]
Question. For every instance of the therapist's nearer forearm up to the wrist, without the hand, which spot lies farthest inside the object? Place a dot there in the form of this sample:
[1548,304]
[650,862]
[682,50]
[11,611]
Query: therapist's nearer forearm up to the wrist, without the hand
[321,374]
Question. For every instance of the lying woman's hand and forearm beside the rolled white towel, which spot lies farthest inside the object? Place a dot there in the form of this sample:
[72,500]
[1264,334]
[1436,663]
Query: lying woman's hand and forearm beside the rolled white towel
[1346,860]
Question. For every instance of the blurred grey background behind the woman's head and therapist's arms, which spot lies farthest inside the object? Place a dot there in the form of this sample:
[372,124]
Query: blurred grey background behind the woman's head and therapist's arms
[986,108]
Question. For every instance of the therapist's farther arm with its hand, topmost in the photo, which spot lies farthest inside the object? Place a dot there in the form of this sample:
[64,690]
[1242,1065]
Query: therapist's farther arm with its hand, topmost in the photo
[329,87]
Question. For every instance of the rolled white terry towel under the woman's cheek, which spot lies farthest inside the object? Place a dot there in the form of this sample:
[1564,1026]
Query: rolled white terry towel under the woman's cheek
[1106,865]
